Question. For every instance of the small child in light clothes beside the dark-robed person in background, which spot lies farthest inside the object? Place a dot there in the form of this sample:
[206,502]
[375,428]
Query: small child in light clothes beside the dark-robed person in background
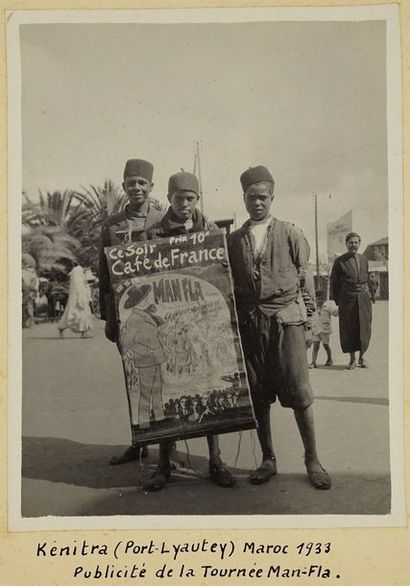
[322,327]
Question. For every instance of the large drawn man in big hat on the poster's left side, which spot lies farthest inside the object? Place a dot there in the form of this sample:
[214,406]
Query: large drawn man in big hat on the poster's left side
[140,336]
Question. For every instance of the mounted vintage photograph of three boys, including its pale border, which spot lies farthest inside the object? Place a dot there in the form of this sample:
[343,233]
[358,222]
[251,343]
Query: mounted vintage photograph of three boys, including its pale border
[205,268]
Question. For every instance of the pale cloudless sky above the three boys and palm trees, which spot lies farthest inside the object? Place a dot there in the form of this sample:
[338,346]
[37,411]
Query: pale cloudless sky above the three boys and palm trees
[306,99]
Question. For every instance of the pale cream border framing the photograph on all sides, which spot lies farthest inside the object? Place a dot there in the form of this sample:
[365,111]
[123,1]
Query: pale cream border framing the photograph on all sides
[358,13]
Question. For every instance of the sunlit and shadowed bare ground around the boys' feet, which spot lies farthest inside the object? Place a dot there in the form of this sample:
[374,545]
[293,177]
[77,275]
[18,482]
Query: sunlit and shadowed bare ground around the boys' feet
[75,418]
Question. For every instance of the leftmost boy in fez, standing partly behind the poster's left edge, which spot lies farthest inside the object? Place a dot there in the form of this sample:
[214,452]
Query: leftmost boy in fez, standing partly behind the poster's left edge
[128,225]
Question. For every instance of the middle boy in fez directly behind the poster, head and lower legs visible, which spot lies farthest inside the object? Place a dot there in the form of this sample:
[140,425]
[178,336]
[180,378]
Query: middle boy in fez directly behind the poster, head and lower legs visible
[183,217]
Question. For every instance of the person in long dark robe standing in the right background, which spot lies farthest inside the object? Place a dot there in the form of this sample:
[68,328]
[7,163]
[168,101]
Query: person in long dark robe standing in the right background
[350,291]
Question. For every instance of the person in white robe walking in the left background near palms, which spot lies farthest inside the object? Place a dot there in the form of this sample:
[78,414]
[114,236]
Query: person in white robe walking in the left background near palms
[77,314]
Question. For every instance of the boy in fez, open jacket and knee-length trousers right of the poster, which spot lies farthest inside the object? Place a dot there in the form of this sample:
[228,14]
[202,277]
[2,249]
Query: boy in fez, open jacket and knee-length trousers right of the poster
[269,259]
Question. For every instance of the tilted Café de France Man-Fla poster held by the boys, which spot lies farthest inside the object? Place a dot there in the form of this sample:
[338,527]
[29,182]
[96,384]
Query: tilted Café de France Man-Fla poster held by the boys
[180,347]
